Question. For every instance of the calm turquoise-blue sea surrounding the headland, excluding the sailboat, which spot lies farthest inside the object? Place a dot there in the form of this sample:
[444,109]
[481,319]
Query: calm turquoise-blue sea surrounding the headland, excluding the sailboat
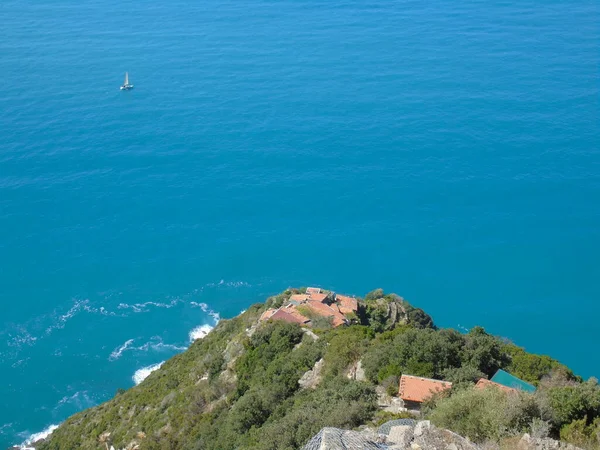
[446,151]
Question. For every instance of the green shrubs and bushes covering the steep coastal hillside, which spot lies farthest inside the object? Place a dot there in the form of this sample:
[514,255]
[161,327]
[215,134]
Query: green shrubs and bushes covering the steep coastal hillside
[238,387]
